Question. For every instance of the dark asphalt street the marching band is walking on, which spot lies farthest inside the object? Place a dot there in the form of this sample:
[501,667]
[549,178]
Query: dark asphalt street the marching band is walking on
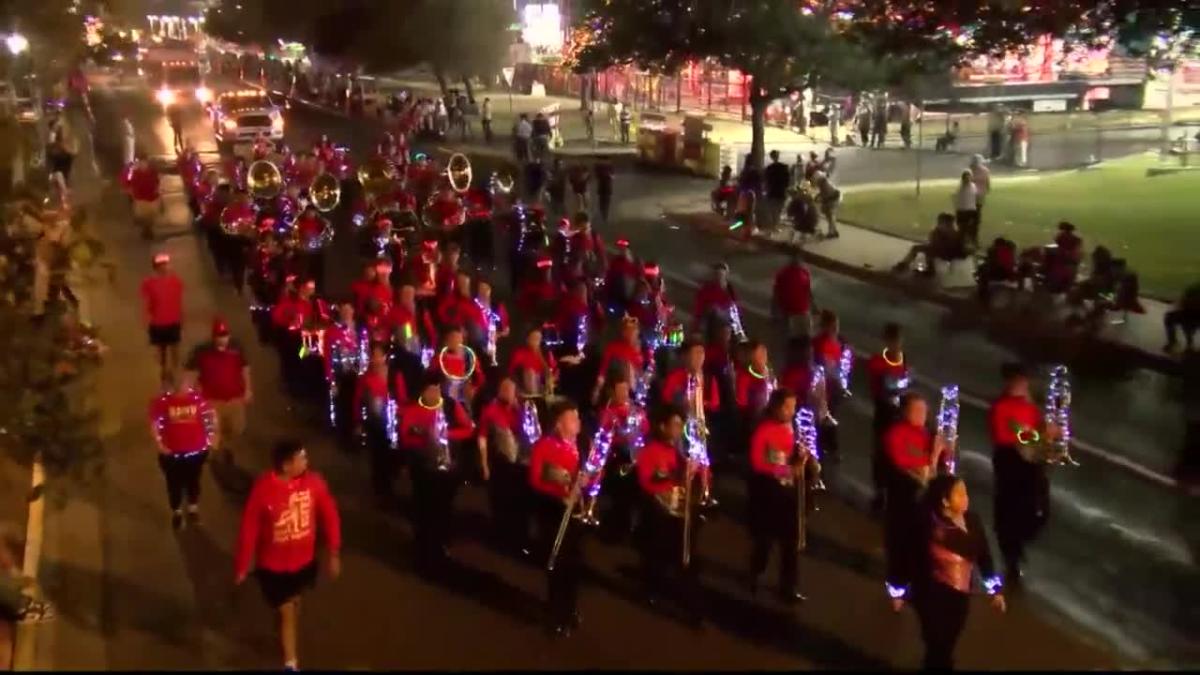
[1113,581]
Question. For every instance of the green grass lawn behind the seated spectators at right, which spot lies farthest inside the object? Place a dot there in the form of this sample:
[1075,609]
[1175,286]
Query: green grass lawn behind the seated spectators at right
[1154,223]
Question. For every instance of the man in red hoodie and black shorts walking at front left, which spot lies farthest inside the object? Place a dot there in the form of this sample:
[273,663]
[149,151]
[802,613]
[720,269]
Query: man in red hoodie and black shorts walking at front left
[279,531]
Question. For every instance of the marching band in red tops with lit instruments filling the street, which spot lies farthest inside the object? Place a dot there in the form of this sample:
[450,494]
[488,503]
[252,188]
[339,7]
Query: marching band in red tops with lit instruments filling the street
[568,429]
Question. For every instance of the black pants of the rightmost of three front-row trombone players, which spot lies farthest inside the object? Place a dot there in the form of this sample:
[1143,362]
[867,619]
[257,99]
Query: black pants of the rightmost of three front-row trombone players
[773,521]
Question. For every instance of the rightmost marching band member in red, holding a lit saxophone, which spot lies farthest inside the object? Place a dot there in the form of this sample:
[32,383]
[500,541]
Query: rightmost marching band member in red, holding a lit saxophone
[1023,489]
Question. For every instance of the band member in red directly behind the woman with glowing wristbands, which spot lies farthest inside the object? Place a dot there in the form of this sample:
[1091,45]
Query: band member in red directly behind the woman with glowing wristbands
[913,456]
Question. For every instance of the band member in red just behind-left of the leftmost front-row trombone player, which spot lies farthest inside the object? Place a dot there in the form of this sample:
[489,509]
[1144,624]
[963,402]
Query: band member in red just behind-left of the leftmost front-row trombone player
[503,461]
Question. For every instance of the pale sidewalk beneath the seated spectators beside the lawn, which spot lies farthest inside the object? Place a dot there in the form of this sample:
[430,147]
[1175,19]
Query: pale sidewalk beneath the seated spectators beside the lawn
[869,255]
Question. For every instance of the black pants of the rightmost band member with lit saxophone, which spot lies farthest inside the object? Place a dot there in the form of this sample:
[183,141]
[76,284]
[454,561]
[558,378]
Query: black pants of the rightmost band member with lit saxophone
[1022,503]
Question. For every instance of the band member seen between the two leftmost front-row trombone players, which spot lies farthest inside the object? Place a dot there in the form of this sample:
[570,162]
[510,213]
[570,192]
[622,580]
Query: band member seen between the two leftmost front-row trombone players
[629,426]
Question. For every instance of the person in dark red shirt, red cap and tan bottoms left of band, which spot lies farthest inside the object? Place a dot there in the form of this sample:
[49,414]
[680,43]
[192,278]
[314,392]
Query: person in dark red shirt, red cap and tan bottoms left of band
[224,377]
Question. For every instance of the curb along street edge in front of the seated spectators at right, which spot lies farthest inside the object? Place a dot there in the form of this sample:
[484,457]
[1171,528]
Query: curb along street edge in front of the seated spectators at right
[926,292]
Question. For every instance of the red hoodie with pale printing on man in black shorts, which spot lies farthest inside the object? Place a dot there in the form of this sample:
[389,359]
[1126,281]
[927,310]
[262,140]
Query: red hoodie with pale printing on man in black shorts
[279,527]
